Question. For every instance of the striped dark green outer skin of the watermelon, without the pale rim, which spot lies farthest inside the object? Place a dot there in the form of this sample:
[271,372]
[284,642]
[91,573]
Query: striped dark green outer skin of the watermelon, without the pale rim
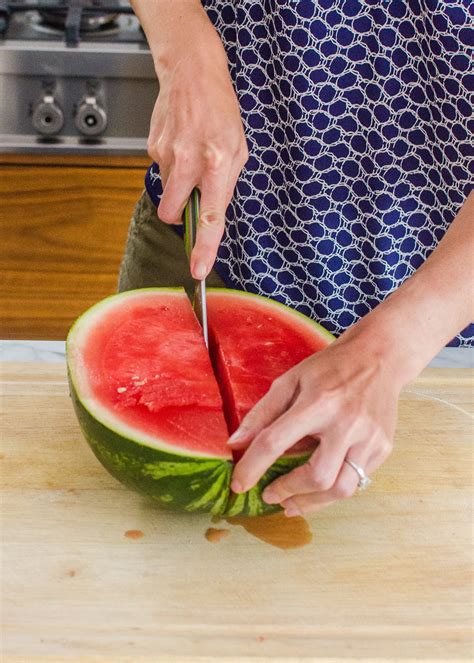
[175,481]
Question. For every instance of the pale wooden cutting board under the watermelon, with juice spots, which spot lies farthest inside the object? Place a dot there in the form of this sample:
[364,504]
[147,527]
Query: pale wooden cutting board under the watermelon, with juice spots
[387,574]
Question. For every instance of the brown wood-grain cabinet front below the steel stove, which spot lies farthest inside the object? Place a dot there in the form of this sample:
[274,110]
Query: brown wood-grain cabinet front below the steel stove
[64,223]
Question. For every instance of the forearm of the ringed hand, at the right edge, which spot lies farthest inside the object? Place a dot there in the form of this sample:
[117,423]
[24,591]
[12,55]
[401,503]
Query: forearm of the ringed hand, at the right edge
[417,320]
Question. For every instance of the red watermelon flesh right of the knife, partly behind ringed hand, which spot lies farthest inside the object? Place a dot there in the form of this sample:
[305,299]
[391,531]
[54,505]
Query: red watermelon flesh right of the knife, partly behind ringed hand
[251,345]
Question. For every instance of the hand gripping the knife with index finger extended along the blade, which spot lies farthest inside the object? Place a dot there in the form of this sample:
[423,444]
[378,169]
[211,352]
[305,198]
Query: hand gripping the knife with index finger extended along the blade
[196,134]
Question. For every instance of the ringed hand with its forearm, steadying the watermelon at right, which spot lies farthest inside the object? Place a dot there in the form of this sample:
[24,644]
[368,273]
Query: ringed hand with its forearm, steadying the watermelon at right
[347,394]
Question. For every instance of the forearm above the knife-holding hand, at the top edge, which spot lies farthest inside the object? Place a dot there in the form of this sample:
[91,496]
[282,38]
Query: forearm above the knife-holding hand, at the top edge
[174,29]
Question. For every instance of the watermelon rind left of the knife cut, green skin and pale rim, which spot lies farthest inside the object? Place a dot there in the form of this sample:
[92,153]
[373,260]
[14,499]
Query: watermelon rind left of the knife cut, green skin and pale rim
[148,469]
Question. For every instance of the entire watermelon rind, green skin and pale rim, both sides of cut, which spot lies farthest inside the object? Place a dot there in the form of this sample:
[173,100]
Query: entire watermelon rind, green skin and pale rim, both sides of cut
[179,480]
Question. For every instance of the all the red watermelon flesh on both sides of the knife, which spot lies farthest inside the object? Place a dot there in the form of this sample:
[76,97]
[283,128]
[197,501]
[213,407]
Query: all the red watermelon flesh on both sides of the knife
[146,366]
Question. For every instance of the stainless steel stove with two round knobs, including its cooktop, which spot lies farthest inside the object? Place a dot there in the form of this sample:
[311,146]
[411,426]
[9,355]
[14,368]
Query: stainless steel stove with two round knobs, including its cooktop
[75,77]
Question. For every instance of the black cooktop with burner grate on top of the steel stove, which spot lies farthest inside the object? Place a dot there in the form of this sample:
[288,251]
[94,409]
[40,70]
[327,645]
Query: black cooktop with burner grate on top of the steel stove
[70,21]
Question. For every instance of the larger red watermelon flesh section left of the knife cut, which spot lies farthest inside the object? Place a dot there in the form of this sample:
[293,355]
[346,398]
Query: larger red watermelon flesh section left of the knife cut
[147,363]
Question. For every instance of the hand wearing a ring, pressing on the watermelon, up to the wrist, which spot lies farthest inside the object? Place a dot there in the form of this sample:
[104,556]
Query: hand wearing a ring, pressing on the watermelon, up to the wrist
[346,396]
